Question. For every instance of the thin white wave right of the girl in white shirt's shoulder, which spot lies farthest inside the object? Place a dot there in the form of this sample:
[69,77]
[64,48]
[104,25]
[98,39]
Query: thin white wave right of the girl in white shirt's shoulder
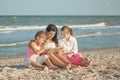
[97,34]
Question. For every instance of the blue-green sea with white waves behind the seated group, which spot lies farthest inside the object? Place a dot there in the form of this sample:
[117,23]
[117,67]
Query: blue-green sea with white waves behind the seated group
[91,32]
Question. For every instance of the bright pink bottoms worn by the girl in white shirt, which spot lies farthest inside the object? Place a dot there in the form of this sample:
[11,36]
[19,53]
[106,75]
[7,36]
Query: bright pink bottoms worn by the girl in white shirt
[75,59]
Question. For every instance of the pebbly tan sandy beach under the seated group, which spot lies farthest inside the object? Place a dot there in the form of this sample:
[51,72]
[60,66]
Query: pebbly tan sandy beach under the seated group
[105,66]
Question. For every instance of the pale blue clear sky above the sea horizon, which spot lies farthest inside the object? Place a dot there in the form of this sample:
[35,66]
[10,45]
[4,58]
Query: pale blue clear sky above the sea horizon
[59,7]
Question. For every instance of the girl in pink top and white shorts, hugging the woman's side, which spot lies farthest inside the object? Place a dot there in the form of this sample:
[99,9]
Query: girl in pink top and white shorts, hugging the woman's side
[36,52]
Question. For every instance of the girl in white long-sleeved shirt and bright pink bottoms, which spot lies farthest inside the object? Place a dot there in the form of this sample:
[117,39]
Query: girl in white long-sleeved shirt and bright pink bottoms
[70,48]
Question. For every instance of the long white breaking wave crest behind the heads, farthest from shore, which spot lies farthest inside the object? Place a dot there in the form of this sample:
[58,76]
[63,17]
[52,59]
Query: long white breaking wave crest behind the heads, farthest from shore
[4,28]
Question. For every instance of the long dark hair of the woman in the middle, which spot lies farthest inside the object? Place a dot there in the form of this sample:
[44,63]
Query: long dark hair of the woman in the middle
[52,27]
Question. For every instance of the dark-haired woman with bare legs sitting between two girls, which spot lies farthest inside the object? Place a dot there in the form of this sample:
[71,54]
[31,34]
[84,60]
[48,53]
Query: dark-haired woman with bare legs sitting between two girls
[52,44]
